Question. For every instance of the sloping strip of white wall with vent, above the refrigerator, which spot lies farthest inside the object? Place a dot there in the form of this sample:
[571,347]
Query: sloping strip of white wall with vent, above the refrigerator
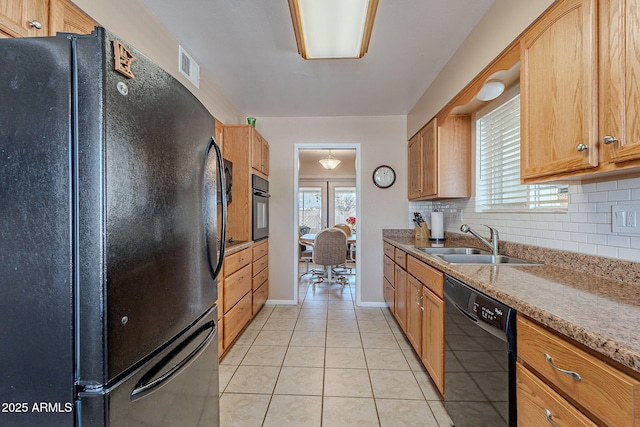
[135,24]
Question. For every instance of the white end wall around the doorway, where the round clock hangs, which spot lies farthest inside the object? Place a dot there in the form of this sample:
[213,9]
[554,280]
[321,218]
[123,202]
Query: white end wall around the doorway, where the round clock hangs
[382,141]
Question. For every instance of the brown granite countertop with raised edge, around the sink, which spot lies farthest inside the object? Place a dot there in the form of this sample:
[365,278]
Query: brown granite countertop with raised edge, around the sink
[602,313]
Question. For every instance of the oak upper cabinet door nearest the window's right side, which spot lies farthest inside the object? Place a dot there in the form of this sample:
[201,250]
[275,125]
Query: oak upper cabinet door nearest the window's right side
[559,88]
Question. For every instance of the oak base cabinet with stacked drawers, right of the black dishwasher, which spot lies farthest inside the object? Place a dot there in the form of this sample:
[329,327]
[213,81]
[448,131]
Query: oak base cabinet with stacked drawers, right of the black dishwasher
[583,383]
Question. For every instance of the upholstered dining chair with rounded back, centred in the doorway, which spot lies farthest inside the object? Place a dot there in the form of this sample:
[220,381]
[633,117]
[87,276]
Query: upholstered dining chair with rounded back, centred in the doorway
[330,250]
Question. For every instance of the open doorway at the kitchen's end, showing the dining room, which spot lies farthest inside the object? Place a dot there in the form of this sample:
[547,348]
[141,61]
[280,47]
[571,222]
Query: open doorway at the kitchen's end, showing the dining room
[325,198]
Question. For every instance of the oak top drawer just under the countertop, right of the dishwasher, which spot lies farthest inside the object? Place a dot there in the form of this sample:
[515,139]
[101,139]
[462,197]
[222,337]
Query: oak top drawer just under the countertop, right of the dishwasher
[603,390]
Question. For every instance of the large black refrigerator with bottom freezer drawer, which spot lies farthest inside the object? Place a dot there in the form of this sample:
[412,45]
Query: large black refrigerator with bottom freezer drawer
[111,235]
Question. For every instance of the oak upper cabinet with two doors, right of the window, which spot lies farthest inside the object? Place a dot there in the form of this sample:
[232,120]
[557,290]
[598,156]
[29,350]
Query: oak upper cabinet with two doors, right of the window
[579,117]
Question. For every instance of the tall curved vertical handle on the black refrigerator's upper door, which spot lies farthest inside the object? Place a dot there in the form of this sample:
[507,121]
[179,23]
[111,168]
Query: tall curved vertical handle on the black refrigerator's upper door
[223,233]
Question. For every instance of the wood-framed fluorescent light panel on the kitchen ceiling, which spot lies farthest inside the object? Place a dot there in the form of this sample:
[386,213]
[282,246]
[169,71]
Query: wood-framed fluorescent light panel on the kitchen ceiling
[332,28]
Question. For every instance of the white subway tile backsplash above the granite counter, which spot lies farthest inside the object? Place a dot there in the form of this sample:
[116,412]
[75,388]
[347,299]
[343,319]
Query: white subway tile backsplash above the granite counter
[586,227]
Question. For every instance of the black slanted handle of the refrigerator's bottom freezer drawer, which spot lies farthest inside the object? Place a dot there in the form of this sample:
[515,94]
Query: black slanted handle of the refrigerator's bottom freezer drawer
[148,384]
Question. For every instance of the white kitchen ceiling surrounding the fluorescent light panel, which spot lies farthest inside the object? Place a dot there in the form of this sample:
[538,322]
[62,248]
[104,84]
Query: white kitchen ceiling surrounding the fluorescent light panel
[248,48]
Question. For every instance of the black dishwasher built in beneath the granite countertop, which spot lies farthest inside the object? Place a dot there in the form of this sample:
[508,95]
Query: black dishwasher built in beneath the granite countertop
[480,357]
